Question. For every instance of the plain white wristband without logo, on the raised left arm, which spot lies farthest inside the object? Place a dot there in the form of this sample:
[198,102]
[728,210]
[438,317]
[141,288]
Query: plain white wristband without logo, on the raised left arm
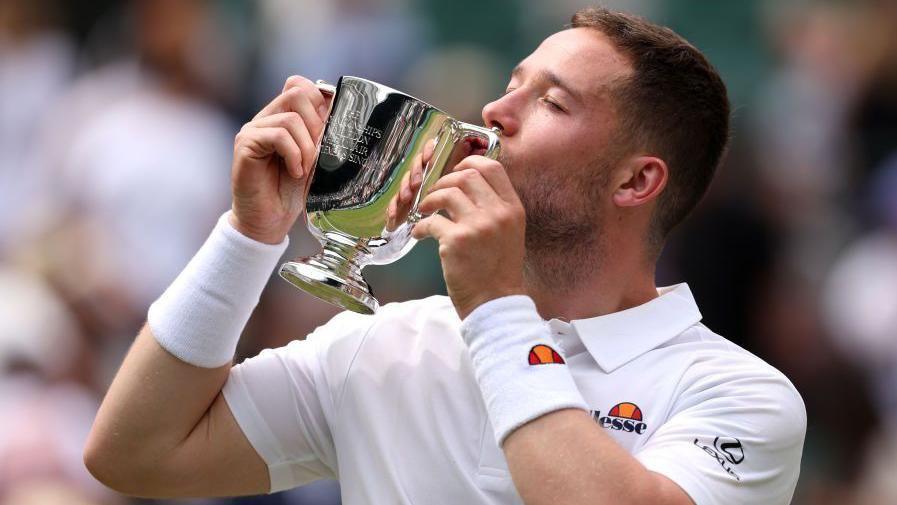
[199,317]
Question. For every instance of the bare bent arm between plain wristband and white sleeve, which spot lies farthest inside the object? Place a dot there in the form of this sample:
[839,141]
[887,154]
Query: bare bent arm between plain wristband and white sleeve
[164,430]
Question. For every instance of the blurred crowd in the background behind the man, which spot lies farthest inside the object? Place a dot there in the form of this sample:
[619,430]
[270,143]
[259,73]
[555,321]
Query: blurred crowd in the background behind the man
[116,130]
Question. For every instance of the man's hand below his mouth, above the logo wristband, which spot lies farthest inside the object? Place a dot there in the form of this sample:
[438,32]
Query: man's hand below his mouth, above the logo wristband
[481,237]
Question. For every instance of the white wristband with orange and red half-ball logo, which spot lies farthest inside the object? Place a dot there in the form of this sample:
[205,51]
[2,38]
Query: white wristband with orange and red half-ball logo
[519,369]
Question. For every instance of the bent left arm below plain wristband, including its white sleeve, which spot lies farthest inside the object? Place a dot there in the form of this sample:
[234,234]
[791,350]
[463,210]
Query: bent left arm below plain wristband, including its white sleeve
[170,429]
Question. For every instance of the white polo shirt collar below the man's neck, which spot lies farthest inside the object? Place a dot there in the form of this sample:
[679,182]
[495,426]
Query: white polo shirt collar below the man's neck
[616,339]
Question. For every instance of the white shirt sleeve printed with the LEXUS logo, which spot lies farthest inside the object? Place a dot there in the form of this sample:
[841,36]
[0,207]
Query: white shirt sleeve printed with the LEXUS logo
[736,438]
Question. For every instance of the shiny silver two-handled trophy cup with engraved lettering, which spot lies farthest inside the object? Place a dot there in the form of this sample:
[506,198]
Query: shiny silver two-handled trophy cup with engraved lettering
[376,142]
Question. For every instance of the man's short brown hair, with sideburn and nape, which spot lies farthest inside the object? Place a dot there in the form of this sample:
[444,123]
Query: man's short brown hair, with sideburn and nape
[674,104]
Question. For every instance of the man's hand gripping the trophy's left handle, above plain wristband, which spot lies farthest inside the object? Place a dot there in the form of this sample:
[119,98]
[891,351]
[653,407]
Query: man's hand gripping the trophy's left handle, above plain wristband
[273,156]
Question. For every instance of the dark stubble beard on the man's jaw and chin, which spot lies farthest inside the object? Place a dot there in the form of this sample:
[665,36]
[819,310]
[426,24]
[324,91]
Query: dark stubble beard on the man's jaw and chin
[563,219]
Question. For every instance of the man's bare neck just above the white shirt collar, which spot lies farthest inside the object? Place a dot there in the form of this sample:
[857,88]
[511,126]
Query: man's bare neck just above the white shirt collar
[617,281]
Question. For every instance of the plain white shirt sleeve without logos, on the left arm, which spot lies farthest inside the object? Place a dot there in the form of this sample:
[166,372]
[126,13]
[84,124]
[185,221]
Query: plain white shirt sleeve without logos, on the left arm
[283,401]
